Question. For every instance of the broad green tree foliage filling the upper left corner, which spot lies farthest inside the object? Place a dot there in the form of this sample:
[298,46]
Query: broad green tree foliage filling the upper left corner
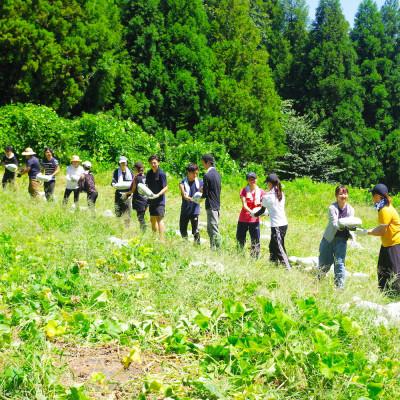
[67,54]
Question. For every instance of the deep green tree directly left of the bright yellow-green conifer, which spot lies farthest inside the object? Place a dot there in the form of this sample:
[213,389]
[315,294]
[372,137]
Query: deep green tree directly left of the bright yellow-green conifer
[172,65]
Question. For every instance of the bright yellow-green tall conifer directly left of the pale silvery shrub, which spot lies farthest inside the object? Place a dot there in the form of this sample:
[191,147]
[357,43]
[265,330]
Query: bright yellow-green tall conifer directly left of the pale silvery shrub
[247,115]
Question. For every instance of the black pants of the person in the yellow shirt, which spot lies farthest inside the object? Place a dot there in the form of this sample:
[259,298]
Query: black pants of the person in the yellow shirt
[389,268]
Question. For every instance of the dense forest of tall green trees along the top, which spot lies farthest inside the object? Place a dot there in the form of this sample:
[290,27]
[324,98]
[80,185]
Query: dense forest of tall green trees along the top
[257,76]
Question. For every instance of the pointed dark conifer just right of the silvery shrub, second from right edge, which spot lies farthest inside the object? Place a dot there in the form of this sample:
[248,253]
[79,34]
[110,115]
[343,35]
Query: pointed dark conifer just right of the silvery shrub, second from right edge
[334,95]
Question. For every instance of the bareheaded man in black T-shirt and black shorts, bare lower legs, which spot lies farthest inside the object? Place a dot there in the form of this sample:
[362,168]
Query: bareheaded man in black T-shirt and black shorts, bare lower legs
[156,180]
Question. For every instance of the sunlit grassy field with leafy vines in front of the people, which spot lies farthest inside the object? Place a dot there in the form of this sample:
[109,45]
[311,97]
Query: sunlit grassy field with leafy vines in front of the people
[81,318]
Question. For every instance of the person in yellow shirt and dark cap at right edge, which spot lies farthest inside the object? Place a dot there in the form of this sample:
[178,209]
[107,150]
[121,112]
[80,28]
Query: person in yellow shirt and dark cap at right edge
[389,232]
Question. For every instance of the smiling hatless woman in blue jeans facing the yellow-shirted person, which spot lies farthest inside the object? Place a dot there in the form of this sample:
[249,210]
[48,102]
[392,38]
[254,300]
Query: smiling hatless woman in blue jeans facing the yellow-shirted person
[333,246]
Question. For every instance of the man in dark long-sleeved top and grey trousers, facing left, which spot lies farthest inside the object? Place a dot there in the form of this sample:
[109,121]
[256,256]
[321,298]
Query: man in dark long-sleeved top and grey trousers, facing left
[212,194]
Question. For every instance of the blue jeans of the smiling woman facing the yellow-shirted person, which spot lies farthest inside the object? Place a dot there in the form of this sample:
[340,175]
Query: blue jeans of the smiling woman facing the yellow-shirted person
[333,253]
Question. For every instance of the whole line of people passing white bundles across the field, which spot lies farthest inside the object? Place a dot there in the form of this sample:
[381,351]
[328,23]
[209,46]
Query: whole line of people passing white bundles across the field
[256,202]
